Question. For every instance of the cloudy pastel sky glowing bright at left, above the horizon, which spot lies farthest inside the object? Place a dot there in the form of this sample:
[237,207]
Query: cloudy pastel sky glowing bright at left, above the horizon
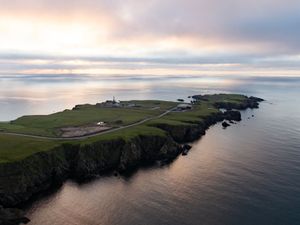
[150,37]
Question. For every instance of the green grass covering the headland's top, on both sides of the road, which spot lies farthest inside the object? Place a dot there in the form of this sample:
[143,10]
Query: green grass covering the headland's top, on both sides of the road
[14,148]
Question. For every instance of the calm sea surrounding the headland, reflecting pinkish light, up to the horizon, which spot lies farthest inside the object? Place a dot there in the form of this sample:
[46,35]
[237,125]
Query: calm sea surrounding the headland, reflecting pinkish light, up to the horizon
[246,174]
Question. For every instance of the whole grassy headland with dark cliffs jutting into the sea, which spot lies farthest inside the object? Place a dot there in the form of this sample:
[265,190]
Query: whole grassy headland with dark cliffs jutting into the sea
[40,151]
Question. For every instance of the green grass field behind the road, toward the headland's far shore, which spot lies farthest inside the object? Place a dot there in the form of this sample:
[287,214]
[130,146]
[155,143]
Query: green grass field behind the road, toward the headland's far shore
[48,125]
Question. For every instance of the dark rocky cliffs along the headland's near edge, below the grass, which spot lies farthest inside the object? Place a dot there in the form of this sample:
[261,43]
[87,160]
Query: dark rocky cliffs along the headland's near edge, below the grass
[20,181]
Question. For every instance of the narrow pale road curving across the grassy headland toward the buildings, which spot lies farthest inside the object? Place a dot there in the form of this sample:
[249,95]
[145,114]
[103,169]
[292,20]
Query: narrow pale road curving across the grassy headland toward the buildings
[89,135]
